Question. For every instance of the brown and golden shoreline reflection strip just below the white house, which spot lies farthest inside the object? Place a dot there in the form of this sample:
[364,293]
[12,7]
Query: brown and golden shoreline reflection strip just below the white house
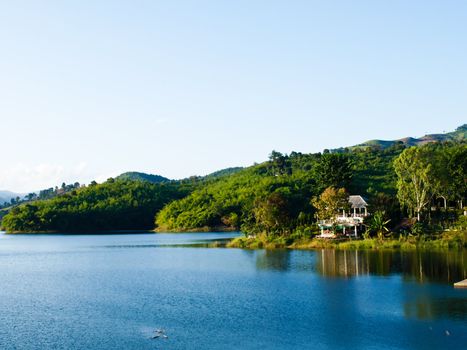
[444,267]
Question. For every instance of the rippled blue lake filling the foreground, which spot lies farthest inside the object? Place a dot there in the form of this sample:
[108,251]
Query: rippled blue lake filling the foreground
[112,291]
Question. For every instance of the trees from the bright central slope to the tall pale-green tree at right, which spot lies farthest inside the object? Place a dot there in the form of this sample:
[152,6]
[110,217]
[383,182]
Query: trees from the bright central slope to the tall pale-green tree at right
[275,197]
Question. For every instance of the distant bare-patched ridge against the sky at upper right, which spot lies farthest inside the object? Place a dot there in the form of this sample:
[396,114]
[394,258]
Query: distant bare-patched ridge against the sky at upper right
[459,135]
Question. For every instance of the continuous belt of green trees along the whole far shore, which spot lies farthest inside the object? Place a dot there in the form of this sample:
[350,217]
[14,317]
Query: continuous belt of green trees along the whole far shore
[273,197]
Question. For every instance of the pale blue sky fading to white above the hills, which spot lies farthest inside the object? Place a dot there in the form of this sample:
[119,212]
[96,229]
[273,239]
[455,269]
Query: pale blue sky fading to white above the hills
[90,89]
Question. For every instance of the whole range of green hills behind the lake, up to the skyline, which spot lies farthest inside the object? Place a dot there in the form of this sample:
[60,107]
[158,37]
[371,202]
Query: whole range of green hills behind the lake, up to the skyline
[274,196]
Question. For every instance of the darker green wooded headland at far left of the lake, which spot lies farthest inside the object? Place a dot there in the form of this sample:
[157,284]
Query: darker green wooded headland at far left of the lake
[113,205]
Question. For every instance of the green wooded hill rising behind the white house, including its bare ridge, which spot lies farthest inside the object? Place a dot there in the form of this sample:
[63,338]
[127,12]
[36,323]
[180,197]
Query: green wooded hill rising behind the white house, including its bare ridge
[275,196]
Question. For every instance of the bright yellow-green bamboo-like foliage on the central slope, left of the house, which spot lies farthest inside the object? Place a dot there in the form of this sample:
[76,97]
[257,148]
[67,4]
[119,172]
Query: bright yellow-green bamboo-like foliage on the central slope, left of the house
[231,200]
